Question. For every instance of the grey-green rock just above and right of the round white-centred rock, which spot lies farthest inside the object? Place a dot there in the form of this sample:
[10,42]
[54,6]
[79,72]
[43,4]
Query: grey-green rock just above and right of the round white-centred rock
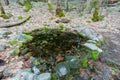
[73,61]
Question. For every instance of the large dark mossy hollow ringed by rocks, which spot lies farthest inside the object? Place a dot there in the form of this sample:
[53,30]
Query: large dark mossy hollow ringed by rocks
[53,40]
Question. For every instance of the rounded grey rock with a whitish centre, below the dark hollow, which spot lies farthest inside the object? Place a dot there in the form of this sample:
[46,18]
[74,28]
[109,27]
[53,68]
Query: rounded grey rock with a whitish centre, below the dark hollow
[62,69]
